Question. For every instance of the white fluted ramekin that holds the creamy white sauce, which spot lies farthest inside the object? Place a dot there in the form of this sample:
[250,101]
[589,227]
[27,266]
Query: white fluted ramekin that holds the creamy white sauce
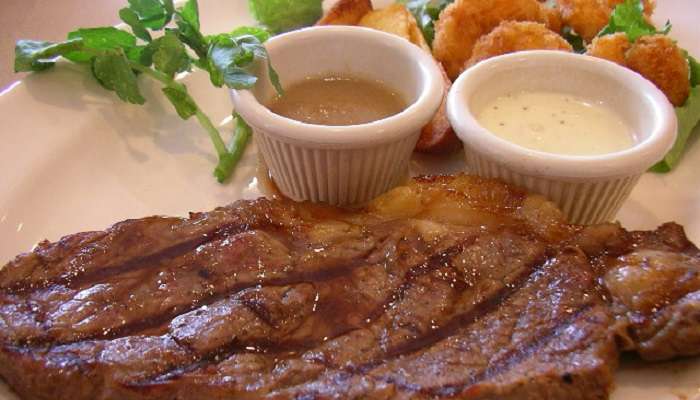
[588,189]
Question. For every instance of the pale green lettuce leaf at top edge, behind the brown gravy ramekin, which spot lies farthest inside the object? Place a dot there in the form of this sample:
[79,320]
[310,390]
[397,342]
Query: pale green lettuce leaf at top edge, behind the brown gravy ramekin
[285,15]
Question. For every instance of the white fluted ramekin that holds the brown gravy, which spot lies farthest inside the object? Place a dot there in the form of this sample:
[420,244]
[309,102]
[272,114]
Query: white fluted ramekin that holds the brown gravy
[342,165]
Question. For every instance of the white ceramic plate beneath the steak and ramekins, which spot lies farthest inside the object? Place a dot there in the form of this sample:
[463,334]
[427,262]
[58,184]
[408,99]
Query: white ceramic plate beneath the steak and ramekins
[74,158]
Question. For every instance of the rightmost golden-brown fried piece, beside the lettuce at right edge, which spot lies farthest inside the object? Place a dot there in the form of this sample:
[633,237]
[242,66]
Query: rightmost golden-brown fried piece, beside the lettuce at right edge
[659,59]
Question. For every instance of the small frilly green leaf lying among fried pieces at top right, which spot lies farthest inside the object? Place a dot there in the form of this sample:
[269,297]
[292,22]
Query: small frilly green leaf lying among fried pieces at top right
[628,17]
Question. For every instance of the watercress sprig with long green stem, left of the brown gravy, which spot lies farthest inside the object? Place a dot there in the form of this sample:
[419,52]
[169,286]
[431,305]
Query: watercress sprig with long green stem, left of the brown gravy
[116,57]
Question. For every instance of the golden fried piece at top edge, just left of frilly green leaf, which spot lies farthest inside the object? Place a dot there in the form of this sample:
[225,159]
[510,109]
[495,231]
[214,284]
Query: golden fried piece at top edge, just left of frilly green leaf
[588,17]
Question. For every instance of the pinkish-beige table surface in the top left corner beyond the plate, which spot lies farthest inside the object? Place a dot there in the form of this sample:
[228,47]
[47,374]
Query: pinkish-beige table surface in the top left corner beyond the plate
[47,20]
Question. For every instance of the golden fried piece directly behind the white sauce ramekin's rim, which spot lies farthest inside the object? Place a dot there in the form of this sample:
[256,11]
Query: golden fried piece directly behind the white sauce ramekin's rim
[512,36]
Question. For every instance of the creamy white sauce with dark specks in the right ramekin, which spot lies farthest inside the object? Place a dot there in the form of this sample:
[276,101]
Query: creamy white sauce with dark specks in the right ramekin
[556,123]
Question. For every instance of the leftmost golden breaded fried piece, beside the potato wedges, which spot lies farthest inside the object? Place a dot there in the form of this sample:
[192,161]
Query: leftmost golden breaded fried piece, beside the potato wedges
[463,22]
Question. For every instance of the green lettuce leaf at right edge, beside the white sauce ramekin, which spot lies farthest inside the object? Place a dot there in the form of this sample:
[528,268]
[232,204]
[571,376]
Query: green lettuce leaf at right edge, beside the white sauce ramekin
[688,118]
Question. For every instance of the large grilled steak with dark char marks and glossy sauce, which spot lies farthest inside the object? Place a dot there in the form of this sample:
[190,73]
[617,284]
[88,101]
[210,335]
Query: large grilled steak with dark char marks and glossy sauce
[447,287]
